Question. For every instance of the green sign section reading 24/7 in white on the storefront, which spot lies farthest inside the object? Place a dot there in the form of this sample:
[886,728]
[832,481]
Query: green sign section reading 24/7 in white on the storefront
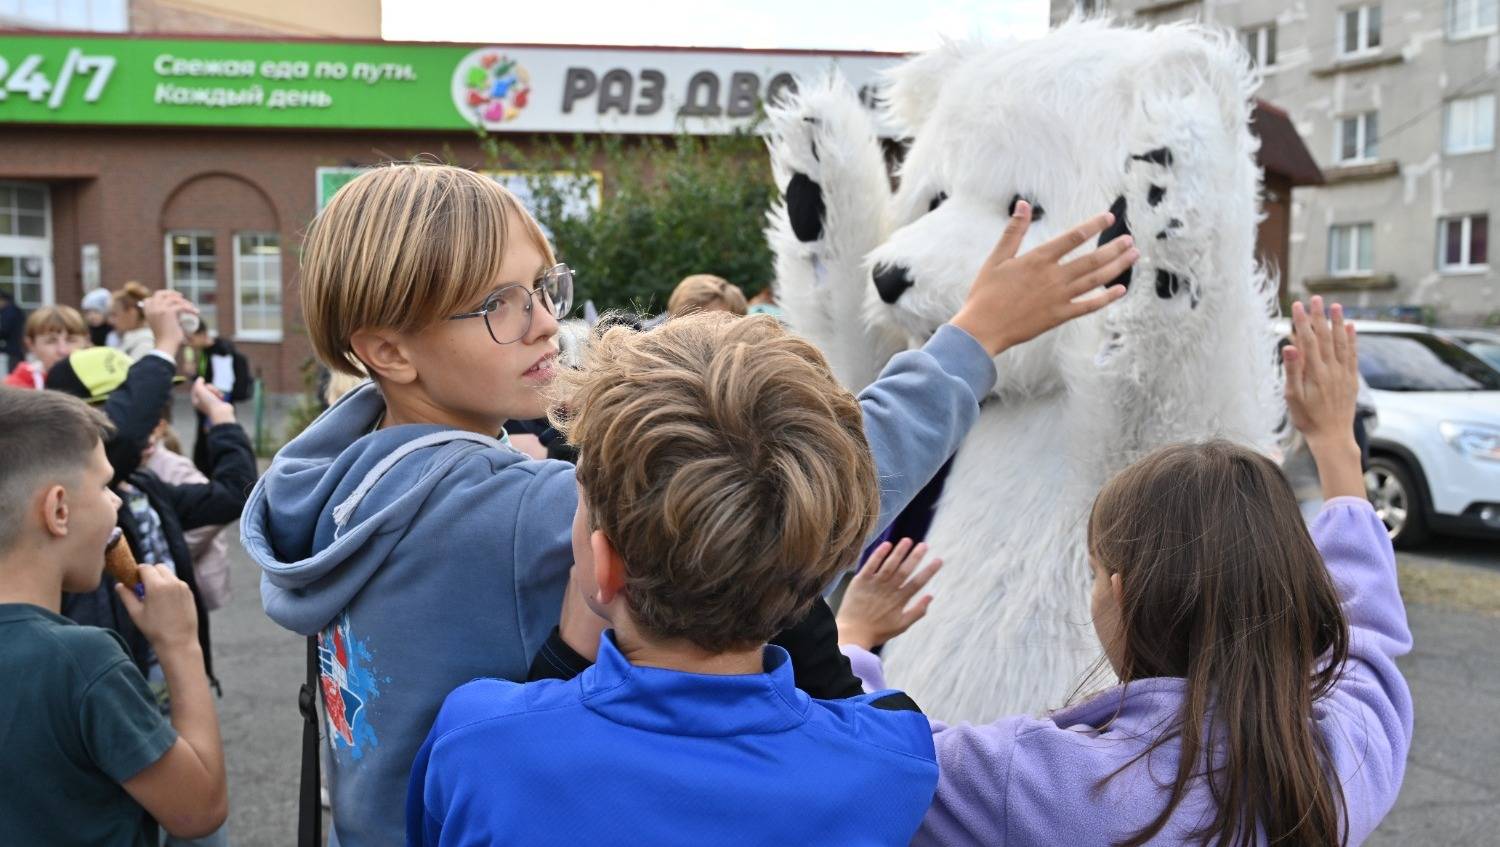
[229,83]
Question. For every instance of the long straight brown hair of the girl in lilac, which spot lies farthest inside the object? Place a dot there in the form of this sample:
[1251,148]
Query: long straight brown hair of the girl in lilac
[1223,587]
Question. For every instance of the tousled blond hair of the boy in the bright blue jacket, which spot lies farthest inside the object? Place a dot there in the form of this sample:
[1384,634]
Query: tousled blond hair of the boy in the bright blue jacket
[727,465]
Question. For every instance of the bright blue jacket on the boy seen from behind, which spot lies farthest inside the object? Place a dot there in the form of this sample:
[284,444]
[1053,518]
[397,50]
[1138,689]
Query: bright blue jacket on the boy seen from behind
[628,755]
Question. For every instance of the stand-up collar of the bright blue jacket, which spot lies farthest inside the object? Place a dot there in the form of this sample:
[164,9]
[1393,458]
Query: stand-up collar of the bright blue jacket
[682,704]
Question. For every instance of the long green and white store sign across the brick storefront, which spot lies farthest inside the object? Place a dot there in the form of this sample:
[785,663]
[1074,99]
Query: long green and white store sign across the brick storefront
[80,80]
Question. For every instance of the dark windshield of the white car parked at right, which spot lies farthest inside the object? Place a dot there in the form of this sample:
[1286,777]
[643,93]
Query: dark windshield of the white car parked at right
[1393,362]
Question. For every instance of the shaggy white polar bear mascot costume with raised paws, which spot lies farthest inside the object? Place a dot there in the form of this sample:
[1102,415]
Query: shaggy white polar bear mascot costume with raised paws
[1150,124]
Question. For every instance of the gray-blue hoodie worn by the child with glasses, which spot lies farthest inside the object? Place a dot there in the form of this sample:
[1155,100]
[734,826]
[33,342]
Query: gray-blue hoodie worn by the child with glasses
[425,558]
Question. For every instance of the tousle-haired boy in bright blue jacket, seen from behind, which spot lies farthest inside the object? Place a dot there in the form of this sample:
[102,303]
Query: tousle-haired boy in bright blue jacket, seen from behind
[694,588]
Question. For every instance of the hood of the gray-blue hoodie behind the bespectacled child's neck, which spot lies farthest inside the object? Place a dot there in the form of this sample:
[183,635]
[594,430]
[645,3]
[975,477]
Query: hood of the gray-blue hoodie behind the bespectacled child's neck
[337,500]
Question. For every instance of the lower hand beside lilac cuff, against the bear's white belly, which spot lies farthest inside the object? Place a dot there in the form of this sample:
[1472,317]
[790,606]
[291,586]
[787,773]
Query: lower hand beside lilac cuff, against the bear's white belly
[875,606]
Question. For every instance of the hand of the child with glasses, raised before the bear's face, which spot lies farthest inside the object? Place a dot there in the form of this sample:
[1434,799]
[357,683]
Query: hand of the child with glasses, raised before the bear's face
[1016,299]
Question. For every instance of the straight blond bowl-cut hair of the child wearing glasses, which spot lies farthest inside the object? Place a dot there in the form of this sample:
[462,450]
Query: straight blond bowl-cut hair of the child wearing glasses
[401,248]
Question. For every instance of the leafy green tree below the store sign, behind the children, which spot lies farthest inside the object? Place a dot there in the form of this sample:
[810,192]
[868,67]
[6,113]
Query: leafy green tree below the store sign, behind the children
[670,209]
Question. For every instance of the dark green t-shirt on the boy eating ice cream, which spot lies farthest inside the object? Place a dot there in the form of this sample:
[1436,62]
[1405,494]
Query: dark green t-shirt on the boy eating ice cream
[76,722]
